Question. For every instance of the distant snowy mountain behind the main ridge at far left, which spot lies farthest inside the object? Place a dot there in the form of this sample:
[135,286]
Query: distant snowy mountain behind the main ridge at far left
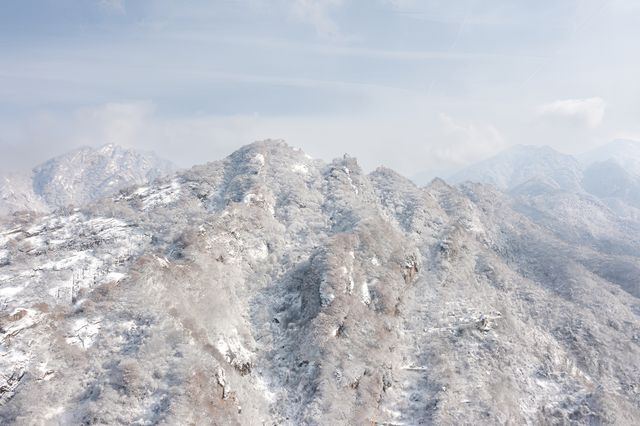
[79,177]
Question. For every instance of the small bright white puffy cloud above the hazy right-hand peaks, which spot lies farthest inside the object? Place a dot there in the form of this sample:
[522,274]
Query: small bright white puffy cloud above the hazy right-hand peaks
[589,111]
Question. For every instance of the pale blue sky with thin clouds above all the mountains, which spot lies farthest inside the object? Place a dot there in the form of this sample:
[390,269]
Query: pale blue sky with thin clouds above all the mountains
[420,86]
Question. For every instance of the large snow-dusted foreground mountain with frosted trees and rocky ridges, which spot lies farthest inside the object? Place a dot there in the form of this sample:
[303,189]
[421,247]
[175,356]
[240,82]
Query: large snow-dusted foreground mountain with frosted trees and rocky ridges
[270,288]
